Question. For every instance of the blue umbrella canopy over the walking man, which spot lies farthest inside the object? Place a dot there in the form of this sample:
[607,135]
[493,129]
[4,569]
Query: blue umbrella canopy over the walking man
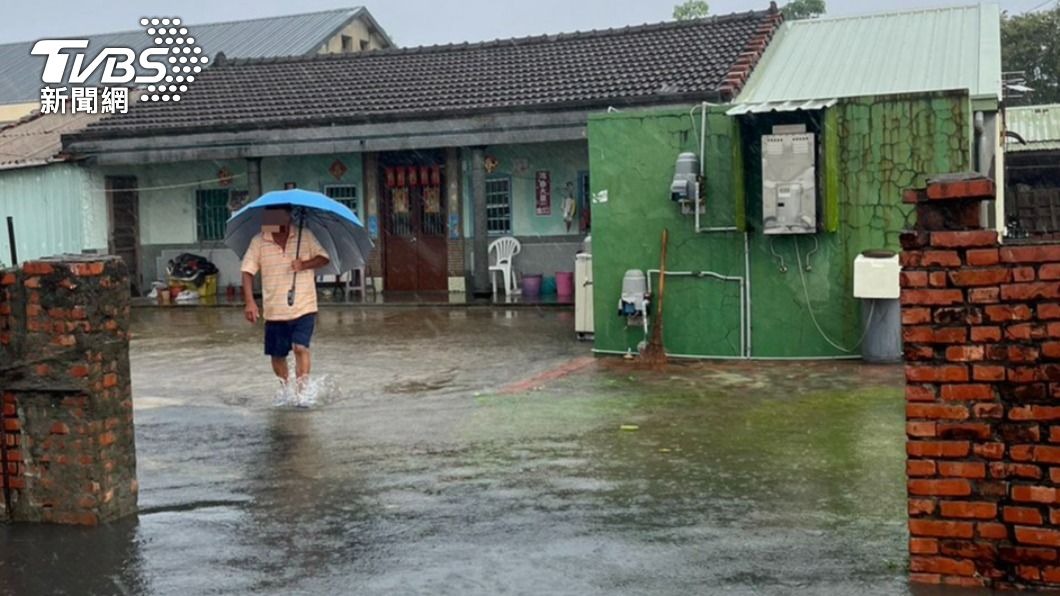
[339,230]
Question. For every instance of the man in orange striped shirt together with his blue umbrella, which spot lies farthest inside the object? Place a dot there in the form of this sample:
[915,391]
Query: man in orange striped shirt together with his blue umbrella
[287,236]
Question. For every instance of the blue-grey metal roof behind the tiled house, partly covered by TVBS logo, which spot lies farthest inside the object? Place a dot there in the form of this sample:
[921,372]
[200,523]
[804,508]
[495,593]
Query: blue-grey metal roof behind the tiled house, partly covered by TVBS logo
[289,36]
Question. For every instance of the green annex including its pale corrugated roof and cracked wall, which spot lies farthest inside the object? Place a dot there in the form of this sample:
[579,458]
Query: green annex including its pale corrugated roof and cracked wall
[888,102]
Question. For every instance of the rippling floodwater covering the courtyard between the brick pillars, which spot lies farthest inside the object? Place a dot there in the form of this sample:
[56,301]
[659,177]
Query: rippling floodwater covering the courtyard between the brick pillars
[481,451]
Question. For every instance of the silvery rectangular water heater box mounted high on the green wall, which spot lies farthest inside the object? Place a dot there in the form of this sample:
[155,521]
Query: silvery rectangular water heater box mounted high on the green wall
[789,184]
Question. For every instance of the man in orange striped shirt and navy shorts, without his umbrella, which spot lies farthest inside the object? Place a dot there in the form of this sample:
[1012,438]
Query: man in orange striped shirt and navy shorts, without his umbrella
[280,256]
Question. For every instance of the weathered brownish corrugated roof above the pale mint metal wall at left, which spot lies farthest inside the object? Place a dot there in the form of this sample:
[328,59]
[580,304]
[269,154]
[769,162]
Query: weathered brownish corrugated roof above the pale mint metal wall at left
[37,141]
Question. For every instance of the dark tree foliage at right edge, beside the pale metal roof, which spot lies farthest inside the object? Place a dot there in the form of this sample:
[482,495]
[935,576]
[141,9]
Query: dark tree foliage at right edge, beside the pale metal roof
[1031,43]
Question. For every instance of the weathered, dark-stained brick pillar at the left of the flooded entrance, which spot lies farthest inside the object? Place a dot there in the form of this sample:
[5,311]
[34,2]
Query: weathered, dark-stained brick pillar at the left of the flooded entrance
[67,399]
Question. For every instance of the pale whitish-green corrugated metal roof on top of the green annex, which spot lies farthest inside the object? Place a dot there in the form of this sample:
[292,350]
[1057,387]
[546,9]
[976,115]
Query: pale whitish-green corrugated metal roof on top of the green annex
[903,52]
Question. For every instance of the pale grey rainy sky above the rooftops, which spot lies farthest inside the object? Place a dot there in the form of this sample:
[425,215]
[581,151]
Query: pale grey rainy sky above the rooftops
[410,23]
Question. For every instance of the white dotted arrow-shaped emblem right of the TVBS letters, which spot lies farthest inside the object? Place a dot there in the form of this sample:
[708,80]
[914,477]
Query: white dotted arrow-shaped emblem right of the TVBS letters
[185,59]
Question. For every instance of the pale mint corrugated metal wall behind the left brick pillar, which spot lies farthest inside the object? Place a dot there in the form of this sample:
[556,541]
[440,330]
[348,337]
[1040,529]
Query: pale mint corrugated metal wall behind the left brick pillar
[58,208]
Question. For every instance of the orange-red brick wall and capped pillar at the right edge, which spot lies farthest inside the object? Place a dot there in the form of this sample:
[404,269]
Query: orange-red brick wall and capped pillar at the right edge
[982,334]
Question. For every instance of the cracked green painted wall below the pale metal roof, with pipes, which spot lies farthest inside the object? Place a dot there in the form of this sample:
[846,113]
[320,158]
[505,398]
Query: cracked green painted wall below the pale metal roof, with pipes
[885,145]
